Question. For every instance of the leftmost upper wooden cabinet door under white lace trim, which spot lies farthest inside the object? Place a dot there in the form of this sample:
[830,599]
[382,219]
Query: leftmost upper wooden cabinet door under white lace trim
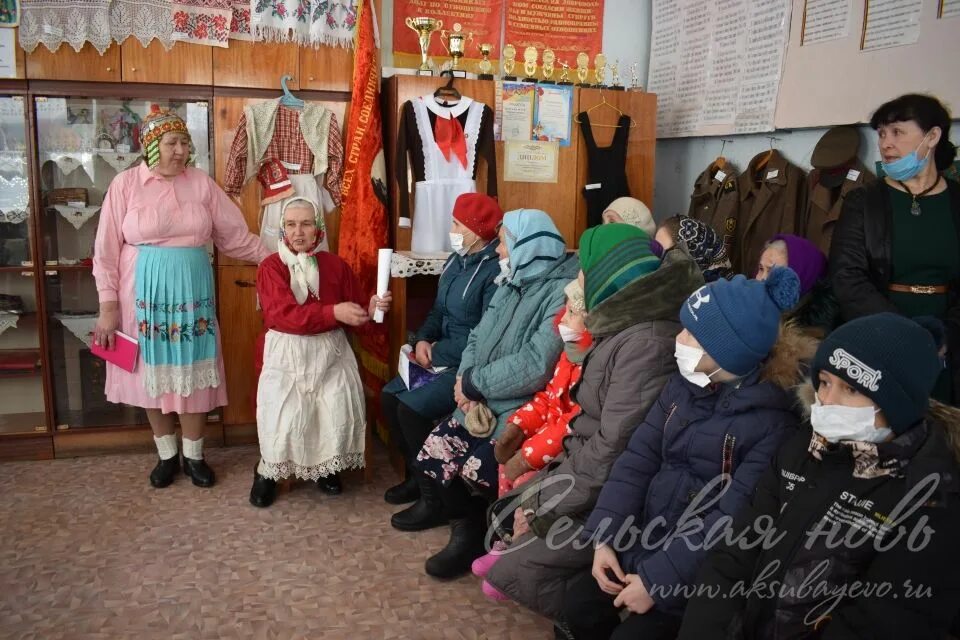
[67,64]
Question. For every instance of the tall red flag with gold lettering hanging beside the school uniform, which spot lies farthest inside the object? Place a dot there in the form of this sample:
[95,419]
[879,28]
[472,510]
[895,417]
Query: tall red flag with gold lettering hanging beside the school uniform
[363,219]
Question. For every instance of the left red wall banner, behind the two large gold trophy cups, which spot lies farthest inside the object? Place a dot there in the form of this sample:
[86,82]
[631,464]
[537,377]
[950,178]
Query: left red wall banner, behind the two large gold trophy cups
[481,18]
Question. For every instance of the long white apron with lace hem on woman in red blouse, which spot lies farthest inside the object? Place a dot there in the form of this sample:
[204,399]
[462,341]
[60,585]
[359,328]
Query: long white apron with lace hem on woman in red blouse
[310,406]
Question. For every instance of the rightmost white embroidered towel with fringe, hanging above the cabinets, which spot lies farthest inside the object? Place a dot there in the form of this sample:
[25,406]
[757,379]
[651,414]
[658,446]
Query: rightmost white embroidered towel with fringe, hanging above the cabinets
[306,22]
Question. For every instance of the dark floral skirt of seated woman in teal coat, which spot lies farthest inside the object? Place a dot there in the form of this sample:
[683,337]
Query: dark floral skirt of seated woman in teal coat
[450,451]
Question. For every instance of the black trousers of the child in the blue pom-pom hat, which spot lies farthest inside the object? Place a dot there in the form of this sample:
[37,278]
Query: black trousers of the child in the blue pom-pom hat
[589,614]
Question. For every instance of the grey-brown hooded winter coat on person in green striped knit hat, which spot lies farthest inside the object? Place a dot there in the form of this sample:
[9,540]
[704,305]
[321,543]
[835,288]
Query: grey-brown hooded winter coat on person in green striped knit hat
[634,334]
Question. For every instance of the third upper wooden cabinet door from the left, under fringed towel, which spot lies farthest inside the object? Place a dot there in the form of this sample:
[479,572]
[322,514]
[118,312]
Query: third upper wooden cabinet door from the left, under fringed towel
[256,64]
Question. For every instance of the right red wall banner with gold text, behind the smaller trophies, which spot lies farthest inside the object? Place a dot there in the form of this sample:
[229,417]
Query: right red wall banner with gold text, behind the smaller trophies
[567,27]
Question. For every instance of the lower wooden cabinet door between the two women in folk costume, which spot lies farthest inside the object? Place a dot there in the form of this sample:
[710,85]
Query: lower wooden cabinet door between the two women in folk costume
[240,325]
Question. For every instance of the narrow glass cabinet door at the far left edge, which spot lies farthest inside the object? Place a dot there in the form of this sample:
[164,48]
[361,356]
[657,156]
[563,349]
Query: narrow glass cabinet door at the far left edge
[21,382]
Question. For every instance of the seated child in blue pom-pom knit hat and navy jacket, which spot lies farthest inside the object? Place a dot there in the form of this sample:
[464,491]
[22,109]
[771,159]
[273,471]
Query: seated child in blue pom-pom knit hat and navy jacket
[714,427]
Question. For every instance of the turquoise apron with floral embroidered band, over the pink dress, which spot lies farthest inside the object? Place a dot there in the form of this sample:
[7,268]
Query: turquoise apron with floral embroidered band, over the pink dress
[176,320]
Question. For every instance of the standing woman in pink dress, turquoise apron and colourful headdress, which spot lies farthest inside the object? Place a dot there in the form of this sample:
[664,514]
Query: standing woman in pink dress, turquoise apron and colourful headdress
[155,283]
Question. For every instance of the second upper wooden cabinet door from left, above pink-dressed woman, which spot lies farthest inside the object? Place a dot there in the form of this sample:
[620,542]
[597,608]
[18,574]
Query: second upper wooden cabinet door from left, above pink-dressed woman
[185,63]
